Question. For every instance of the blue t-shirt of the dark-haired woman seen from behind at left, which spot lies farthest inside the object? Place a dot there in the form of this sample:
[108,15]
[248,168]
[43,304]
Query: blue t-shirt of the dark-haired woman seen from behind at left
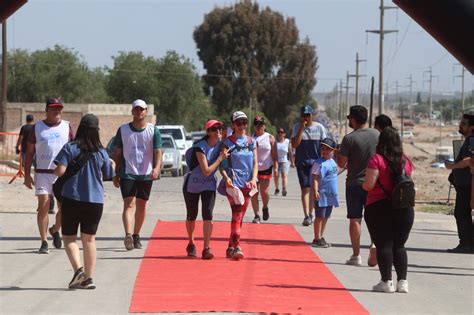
[86,185]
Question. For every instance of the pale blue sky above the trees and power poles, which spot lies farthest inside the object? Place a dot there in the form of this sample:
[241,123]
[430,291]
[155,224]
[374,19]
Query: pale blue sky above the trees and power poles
[100,29]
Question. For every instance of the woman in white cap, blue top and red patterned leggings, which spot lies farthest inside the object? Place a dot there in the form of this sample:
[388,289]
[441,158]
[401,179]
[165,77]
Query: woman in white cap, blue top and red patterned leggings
[240,178]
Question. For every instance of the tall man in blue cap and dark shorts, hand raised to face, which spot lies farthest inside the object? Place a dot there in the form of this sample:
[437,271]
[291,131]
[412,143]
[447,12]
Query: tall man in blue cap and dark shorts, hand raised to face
[306,137]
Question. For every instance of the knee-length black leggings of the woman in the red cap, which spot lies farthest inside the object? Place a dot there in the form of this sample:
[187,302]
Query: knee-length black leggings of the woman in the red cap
[208,199]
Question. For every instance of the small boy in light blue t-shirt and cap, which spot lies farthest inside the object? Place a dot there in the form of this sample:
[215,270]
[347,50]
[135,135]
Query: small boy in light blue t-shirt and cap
[324,173]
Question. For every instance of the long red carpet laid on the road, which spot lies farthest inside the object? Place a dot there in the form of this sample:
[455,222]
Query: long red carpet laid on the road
[280,274]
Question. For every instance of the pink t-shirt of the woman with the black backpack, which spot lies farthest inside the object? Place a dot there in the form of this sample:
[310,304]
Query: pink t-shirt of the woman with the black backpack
[377,162]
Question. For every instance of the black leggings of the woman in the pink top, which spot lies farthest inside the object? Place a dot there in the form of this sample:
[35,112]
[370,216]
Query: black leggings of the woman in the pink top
[389,229]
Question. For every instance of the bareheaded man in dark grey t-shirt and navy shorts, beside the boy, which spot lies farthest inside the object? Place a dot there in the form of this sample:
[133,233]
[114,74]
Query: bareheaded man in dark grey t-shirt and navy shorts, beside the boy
[356,149]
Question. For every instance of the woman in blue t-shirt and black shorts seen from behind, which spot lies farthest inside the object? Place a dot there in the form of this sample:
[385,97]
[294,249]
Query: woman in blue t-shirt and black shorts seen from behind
[83,197]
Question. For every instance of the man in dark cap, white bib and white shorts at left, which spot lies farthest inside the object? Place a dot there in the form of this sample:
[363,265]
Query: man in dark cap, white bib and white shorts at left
[45,140]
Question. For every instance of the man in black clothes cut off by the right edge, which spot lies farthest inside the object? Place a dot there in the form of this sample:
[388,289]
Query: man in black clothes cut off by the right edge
[462,183]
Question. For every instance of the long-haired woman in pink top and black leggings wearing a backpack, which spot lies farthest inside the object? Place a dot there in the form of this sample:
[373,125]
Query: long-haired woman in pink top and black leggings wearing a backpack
[389,227]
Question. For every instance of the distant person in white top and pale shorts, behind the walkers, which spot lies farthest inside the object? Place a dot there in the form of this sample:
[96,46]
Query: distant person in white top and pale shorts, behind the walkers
[285,159]
